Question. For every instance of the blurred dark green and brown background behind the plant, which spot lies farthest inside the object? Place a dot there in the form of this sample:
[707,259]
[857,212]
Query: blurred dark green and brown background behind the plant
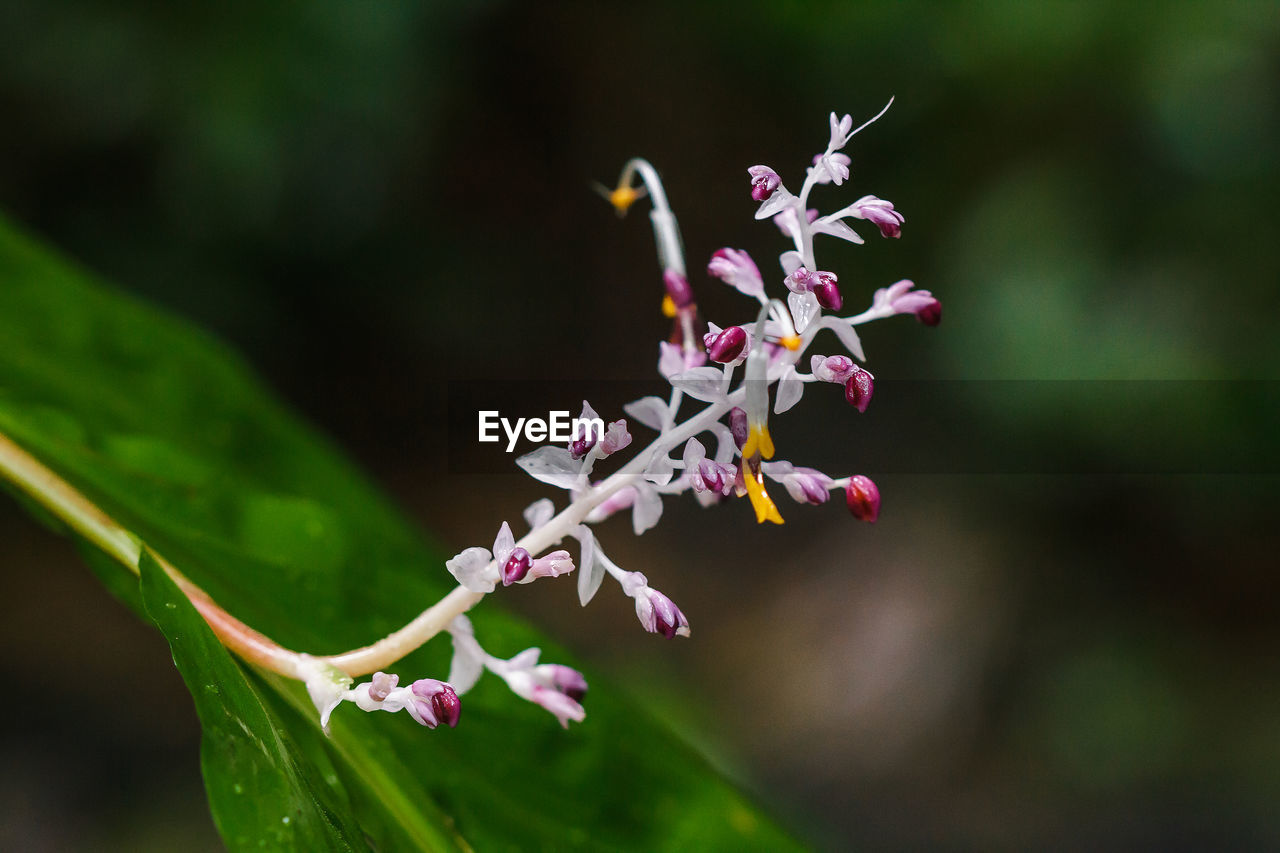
[1064,630]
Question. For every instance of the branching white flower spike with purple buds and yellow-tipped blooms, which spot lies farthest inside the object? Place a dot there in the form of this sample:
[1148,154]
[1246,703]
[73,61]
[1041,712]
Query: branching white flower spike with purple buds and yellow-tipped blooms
[700,363]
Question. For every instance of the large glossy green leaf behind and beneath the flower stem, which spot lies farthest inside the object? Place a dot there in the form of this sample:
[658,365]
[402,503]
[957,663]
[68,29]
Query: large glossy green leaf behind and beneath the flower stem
[176,440]
